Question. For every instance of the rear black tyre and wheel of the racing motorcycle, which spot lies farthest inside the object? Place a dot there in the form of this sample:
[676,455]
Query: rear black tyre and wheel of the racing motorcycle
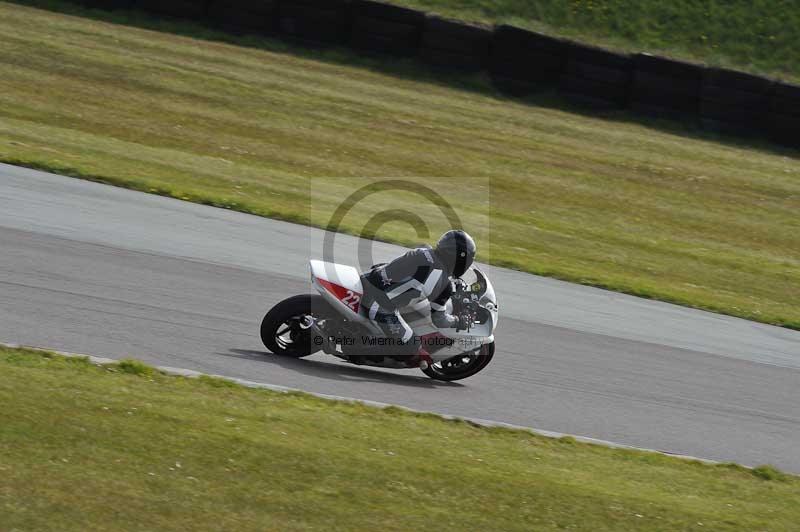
[284,319]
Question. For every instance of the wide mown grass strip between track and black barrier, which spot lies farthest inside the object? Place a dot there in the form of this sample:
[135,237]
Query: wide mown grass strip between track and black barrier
[284,132]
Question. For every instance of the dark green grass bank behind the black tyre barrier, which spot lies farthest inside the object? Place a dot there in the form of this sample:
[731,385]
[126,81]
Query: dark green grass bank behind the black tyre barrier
[755,35]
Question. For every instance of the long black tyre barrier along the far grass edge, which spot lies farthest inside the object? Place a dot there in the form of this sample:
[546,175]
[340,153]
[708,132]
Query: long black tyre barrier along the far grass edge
[519,61]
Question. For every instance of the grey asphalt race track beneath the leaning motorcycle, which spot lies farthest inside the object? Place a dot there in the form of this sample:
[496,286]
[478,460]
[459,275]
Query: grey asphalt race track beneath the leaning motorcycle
[109,272]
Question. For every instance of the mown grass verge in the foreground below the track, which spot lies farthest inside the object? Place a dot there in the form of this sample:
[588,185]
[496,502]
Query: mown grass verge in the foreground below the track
[122,447]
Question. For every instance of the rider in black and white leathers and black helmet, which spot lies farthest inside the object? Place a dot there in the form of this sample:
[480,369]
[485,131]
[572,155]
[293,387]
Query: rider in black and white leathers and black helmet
[422,273]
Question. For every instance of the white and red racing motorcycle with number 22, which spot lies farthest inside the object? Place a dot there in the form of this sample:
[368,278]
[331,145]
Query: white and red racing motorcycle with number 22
[335,322]
